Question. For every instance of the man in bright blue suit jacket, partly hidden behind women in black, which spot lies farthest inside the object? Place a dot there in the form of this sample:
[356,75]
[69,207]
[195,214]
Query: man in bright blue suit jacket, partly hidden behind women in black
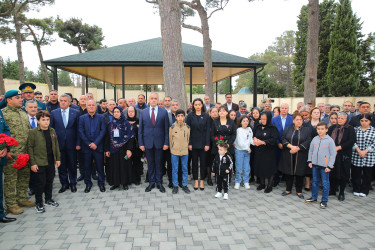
[281,122]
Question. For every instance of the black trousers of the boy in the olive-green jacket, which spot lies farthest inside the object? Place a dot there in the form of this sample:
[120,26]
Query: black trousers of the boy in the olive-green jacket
[44,183]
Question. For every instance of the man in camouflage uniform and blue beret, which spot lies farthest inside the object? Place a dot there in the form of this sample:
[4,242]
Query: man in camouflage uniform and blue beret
[16,181]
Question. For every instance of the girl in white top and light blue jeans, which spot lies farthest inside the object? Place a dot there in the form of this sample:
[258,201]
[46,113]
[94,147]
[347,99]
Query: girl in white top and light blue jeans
[242,149]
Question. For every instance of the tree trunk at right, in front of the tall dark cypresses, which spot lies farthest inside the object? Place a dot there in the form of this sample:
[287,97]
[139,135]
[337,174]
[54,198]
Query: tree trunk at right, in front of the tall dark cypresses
[312,58]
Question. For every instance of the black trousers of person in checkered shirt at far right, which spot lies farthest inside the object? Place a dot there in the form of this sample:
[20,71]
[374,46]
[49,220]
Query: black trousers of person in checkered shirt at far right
[361,179]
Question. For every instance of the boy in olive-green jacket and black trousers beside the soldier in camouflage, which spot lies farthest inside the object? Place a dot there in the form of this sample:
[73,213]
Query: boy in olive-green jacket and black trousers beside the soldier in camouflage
[44,153]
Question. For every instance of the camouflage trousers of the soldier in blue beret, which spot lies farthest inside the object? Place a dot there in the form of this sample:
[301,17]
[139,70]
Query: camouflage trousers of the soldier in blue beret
[16,183]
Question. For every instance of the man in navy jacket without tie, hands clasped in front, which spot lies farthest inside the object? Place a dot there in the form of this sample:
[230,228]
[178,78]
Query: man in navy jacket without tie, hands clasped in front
[92,130]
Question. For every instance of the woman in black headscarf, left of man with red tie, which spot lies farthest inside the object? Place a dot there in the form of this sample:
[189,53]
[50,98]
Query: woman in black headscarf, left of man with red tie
[137,165]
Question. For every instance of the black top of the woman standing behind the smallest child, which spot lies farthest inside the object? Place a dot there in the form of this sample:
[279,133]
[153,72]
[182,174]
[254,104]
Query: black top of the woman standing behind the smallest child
[228,131]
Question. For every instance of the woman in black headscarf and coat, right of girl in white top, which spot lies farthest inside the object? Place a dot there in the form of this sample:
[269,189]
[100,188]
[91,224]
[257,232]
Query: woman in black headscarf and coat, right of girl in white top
[265,137]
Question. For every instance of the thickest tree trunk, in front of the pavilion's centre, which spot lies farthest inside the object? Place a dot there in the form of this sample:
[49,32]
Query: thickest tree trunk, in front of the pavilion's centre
[173,65]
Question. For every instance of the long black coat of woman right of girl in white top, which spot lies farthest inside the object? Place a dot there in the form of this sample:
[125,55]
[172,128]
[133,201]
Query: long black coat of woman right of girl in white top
[265,155]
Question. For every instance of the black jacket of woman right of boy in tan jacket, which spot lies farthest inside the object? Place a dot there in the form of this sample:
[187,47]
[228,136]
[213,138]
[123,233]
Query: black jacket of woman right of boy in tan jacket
[199,130]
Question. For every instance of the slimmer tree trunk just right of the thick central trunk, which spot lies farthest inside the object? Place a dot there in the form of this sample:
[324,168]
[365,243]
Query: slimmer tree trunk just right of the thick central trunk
[207,51]
